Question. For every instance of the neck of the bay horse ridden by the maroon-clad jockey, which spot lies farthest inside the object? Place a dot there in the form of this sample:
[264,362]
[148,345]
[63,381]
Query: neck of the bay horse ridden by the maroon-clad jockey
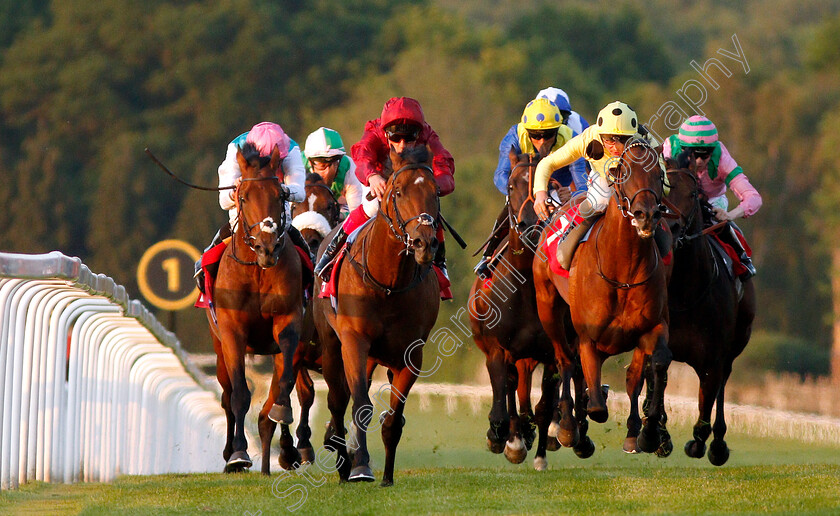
[384,255]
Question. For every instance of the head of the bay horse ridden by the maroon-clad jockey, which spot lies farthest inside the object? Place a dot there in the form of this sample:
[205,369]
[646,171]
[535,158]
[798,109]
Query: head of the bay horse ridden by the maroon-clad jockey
[411,202]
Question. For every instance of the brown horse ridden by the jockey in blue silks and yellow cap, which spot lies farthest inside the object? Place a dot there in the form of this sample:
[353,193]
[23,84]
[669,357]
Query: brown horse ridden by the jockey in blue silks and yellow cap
[514,342]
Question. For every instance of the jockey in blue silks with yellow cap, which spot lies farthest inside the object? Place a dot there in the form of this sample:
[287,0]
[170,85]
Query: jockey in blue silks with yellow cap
[541,130]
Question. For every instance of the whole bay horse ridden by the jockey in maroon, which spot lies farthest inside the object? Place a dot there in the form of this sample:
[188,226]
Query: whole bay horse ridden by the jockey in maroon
[387,304]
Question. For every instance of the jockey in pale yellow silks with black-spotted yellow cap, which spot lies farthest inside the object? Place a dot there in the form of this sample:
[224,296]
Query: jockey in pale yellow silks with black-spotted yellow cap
[600,145]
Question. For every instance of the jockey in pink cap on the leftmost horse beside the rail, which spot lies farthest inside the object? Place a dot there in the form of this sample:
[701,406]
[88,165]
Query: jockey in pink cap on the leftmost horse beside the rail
[265,136]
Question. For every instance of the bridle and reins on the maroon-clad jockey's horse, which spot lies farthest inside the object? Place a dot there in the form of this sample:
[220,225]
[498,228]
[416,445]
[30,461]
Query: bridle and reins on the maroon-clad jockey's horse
[398,228]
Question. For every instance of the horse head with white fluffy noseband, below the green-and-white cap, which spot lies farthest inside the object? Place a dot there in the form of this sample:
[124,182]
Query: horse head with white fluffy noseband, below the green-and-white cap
[317,214]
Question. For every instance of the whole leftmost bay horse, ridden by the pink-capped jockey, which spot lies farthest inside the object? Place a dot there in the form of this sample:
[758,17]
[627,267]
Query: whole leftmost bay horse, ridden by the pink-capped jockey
[259,303]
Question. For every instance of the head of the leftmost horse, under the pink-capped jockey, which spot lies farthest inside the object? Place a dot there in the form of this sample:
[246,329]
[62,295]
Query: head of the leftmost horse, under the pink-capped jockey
[261,204]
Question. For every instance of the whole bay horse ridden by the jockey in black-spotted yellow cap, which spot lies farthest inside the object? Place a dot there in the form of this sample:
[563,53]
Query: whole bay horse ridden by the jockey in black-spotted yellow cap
[616,293]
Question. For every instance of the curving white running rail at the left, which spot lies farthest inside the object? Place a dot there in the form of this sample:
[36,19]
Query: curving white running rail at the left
[91,384]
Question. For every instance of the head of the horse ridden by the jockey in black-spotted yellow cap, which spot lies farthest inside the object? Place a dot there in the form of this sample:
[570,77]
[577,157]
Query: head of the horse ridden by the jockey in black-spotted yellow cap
[638,185]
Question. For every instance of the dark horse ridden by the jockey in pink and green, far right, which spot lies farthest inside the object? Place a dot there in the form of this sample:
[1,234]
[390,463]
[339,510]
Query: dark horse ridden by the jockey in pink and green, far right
[710,319]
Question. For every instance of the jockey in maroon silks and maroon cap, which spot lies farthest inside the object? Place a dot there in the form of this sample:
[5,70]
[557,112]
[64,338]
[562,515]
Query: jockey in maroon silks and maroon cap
[400,126]
